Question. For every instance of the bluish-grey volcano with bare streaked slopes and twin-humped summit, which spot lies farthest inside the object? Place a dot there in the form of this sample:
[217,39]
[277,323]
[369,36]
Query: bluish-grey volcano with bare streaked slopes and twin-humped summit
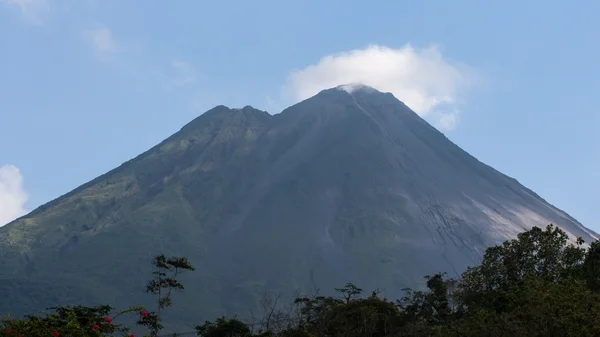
[347,186]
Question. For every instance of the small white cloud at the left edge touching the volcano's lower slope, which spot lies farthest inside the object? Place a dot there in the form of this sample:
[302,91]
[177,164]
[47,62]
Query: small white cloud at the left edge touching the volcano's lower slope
[12,194]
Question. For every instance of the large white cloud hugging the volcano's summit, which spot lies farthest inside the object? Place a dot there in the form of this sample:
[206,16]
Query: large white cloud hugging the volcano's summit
[423,79]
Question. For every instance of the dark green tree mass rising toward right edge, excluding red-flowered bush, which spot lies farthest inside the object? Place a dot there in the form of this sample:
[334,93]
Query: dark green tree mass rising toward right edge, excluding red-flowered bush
[535,285]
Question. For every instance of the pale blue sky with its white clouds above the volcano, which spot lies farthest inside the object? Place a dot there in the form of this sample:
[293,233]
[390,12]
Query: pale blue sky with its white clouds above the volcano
[86,85]
